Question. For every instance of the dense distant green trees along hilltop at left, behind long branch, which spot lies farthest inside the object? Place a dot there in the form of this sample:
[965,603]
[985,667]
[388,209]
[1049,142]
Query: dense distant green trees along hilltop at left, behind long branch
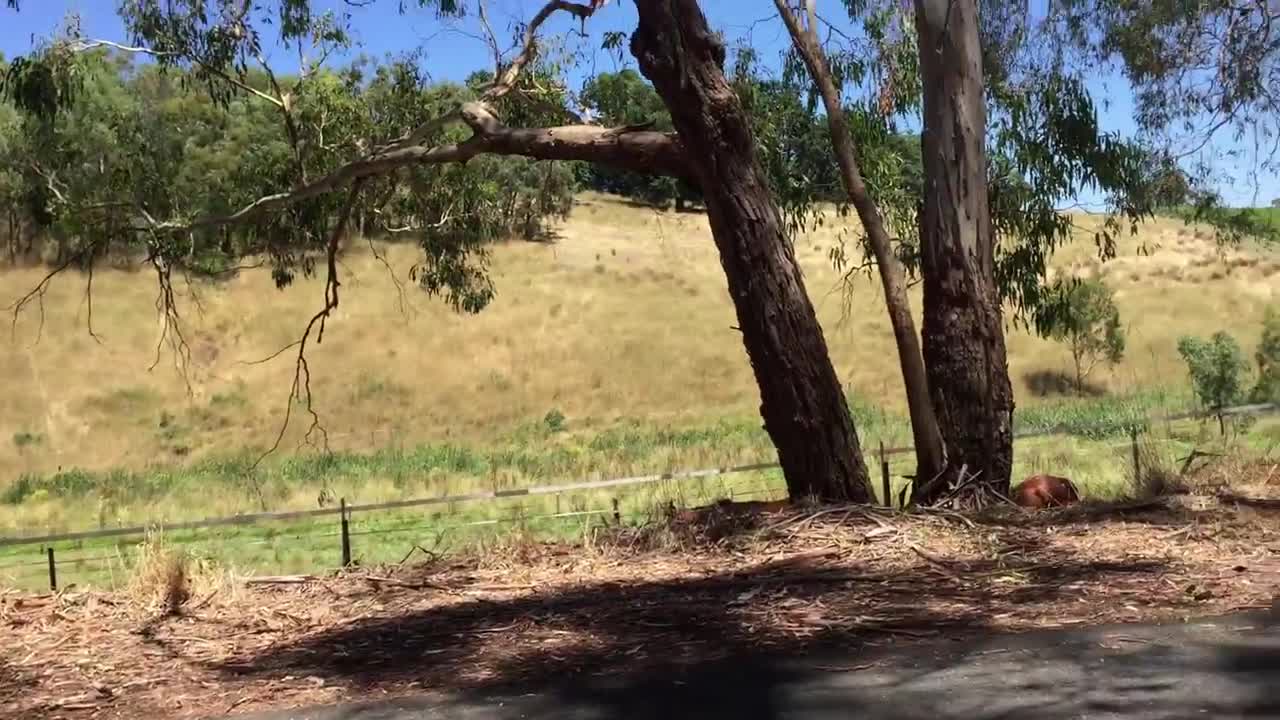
[162,140]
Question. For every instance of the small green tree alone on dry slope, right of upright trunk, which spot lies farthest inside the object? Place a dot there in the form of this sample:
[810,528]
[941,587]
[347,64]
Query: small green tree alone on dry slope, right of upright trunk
[1090,325]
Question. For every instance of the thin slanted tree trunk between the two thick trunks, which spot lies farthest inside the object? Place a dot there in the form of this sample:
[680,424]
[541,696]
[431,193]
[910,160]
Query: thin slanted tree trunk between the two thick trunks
[930,455]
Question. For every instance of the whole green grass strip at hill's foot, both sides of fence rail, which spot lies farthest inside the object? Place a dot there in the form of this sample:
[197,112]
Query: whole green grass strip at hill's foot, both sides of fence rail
[1091,445]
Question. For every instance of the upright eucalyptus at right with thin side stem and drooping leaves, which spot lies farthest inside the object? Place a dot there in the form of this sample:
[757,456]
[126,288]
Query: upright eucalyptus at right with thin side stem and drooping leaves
[1009,134]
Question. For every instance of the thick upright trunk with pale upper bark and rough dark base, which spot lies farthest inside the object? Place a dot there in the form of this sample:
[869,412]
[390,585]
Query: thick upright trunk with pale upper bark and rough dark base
[963,331]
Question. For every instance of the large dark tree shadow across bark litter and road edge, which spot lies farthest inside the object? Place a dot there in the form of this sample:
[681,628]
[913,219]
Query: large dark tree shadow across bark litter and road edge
[721,646]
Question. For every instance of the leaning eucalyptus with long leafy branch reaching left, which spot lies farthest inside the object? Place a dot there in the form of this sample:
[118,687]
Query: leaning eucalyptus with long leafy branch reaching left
[339,162]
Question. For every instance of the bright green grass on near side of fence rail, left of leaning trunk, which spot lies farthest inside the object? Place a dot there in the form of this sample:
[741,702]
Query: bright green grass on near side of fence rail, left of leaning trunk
[382,537]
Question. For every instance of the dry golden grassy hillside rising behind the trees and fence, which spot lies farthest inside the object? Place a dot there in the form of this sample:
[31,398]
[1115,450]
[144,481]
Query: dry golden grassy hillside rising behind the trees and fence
[623,326]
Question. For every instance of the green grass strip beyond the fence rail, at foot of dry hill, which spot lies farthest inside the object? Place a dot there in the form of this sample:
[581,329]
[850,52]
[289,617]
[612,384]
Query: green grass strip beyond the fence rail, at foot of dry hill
[536,455]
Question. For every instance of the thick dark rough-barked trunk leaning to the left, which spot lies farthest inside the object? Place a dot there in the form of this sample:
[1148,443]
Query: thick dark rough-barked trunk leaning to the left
[802,402]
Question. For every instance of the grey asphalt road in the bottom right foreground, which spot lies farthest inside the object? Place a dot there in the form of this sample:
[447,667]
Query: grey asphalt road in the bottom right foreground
[1220,668]
